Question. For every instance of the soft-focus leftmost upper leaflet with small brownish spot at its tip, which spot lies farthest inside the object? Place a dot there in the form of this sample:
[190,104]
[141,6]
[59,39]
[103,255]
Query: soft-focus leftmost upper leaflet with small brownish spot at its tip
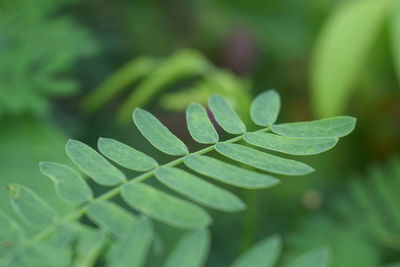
[30,207]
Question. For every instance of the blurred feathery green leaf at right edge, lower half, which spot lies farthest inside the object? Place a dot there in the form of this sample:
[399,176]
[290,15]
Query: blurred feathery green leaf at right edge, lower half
[376,203]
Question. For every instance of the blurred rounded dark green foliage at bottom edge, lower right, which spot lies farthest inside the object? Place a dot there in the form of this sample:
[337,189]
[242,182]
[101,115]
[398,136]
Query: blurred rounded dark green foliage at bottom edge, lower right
[349,244]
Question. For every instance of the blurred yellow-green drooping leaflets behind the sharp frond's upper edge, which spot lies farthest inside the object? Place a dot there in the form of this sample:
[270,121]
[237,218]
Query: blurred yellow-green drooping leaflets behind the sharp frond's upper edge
[153,77]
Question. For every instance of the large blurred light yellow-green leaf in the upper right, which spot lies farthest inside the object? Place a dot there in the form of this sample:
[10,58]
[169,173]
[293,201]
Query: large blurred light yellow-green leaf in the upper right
[342,49]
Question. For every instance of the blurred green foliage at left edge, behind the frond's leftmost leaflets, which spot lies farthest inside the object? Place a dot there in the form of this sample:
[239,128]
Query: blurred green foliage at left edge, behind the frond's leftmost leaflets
[21,146]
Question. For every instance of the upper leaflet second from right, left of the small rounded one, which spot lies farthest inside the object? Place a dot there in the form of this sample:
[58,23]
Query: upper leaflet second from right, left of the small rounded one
[225,115]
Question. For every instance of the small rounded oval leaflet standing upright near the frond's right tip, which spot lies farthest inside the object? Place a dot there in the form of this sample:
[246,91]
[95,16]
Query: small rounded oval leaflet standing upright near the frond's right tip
[265,108]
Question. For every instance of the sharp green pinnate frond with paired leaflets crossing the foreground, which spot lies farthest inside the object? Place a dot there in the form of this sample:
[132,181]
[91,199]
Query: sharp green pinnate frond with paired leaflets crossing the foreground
[135,233]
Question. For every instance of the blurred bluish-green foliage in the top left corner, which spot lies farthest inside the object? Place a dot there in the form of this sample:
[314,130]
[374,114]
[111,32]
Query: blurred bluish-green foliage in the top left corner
[38,48]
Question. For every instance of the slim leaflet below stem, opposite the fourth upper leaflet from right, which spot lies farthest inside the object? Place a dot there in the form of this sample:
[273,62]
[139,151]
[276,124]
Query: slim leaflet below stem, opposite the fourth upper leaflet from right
[228,173]
